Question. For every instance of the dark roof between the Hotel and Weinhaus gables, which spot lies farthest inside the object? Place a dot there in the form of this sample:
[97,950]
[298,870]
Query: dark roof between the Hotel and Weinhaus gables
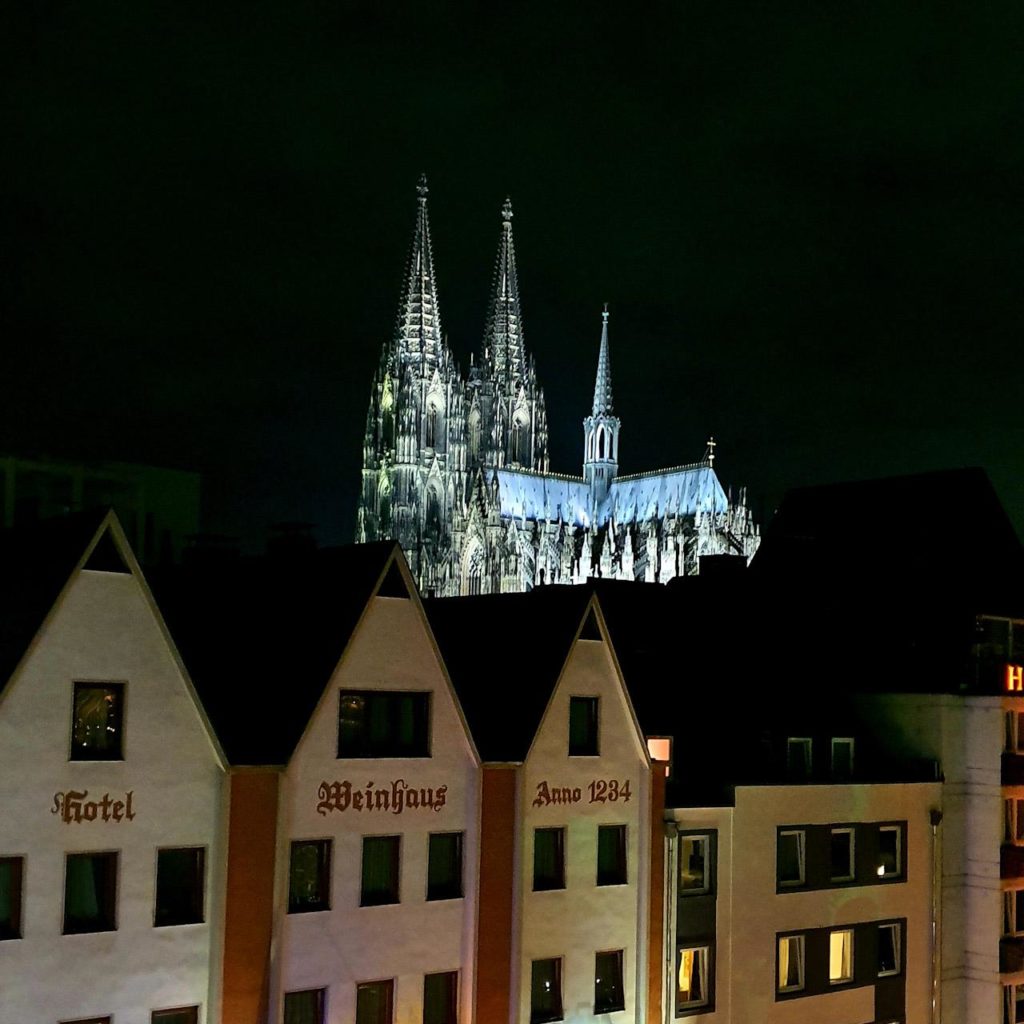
[262,637]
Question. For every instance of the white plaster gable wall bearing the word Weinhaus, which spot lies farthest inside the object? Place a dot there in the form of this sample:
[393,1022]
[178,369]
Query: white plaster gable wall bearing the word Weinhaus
[337,949]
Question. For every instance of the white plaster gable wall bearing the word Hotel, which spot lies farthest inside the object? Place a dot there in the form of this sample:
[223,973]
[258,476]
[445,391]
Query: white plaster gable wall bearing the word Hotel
[104,630]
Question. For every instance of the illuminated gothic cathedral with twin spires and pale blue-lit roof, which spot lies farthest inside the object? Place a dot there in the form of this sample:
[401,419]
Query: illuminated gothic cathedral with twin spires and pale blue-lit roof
[456,470]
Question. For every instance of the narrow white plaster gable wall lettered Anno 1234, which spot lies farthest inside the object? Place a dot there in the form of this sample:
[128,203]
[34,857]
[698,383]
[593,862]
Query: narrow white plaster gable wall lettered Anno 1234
[585,919]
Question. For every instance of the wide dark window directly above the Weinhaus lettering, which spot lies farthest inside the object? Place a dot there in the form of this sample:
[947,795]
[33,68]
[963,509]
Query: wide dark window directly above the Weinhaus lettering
[383,724]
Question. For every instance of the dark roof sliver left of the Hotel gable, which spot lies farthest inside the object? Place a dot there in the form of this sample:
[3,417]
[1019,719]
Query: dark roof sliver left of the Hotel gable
[36,562]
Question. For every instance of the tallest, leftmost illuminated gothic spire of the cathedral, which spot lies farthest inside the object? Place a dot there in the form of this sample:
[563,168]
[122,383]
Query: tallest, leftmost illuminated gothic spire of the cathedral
[418,332]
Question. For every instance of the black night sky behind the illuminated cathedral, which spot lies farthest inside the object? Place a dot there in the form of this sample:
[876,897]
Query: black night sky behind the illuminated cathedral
[807,221]
